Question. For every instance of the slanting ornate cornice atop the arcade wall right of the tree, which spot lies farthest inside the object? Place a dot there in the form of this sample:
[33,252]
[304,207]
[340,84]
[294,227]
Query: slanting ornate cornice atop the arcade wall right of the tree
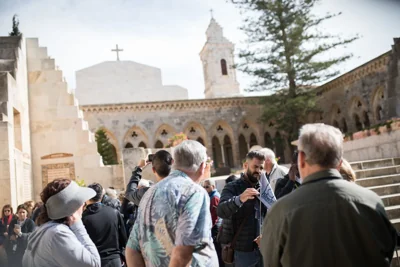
[377,64]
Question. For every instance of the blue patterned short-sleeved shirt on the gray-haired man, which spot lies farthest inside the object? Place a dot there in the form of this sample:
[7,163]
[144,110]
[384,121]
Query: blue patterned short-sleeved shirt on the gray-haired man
[174,212]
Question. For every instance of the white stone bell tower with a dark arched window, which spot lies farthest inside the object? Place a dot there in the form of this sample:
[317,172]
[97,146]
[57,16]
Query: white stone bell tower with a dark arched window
[217,57]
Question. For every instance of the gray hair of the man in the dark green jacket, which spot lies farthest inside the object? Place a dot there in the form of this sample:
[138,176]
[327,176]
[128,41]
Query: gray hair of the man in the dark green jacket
[322,144]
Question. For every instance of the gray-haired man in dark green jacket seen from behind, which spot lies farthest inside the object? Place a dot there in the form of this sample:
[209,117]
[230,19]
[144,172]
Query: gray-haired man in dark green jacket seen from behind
[327,221]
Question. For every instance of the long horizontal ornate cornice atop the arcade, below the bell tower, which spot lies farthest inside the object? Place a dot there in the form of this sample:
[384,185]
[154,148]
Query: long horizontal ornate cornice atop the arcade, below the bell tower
[172,105]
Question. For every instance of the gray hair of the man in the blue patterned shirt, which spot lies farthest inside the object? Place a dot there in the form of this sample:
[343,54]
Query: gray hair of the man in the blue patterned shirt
[189,155]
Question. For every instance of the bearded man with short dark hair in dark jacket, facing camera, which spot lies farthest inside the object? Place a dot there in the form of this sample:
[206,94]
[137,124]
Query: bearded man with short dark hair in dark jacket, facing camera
[242,213]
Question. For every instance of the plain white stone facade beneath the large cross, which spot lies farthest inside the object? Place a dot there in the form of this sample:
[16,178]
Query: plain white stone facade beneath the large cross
[116,82]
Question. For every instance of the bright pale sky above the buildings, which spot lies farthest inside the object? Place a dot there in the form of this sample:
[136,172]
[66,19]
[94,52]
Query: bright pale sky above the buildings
[169,34]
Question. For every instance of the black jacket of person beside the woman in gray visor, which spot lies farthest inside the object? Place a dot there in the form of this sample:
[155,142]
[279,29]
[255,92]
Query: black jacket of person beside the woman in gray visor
[106,228]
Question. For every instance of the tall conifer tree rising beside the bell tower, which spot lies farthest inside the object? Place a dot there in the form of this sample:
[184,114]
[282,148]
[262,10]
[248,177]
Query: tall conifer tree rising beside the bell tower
[285,56]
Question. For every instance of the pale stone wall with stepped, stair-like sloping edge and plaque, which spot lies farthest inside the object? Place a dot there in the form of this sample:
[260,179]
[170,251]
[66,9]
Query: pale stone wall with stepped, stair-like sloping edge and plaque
[62,145]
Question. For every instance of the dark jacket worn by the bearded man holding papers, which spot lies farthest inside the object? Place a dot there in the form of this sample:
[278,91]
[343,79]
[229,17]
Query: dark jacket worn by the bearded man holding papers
[234,213]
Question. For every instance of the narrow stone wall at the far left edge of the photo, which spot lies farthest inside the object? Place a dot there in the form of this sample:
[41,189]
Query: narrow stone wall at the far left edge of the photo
[15,156]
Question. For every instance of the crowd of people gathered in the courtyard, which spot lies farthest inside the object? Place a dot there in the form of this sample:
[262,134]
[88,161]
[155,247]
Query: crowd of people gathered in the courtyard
[318,215]
